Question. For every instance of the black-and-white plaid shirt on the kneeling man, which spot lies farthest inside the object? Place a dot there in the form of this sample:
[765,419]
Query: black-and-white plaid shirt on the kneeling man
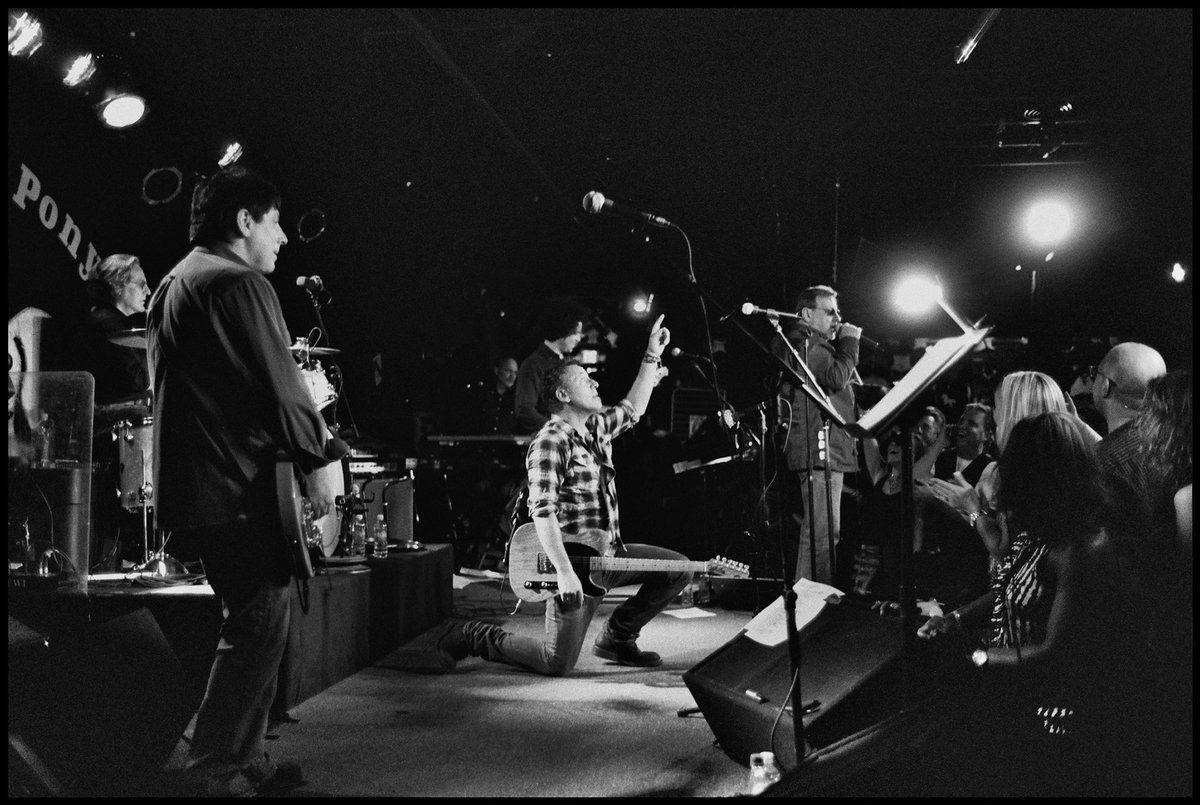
[572,476]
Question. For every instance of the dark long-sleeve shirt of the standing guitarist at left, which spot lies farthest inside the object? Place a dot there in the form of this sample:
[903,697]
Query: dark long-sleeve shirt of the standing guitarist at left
[229,395]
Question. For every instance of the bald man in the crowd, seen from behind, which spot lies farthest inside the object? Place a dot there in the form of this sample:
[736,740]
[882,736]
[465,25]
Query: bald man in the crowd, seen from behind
[1119,392]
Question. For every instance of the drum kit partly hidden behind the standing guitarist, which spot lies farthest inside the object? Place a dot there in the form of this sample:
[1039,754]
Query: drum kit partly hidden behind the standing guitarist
[131,423]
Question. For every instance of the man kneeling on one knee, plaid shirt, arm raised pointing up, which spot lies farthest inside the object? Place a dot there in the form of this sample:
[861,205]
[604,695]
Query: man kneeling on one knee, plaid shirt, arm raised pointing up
[573,502]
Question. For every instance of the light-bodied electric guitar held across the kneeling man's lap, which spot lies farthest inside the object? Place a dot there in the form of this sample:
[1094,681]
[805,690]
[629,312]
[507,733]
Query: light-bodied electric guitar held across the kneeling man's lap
[535,579]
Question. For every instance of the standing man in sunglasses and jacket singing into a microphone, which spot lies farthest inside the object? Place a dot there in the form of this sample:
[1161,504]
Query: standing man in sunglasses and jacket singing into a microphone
[817,458]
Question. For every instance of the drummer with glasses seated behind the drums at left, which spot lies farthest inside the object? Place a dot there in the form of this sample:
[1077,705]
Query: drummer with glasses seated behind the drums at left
[116,331]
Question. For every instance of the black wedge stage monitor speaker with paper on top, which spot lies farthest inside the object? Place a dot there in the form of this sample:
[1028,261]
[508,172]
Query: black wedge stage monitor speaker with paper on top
[850,664]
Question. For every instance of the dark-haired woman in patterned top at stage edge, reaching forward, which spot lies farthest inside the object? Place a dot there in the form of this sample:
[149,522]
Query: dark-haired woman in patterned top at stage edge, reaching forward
[1041,723]
